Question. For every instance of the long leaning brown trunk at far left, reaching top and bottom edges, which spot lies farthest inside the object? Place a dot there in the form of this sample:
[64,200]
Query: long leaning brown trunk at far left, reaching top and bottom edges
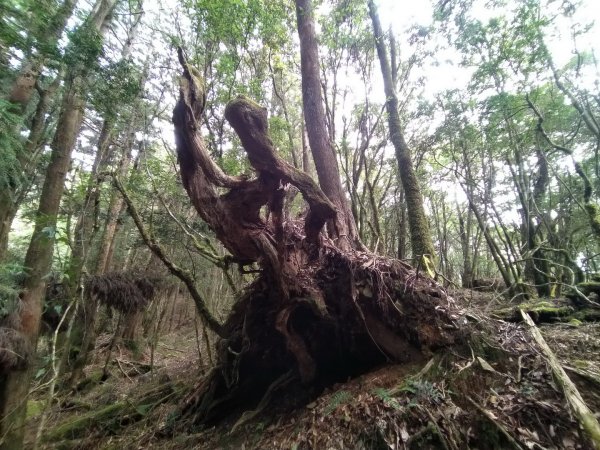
[38,260]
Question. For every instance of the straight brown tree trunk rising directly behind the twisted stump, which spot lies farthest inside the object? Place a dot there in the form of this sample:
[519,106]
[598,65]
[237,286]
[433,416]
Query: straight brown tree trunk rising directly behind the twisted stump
[344,228]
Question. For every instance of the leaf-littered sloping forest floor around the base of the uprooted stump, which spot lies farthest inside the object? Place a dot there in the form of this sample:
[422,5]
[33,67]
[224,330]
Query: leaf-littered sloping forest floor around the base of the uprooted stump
[497,393]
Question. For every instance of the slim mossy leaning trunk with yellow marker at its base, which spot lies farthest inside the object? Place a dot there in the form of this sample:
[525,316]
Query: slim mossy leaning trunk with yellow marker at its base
[417,221]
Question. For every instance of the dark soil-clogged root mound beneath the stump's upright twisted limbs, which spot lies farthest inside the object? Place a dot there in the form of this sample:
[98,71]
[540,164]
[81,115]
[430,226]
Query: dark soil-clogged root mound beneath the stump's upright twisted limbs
[346,315]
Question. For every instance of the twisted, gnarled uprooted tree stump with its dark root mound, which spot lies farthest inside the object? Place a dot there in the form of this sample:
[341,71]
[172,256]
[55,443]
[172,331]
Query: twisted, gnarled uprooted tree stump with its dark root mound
[318,311]
